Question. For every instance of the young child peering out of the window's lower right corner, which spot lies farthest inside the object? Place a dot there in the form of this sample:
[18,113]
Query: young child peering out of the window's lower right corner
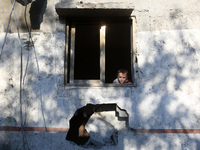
[122,77]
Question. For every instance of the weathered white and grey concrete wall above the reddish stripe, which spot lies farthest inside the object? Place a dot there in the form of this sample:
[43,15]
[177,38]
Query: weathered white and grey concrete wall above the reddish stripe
[167,43]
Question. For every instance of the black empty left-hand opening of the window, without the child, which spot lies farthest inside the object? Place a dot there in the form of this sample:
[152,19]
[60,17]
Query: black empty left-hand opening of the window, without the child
[87,52]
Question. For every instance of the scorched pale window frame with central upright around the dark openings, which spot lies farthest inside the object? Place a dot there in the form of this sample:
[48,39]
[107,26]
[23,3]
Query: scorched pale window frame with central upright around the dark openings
[70,58]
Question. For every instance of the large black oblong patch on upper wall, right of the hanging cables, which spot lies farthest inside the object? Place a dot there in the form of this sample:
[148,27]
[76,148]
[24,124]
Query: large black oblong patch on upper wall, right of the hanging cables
[37,11]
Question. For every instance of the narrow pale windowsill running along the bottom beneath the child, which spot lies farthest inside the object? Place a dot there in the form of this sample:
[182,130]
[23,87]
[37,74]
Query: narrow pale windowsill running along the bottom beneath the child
[99,85]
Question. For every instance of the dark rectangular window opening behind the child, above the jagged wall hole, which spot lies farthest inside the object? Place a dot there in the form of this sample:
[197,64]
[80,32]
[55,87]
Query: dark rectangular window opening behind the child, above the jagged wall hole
[97,49]
